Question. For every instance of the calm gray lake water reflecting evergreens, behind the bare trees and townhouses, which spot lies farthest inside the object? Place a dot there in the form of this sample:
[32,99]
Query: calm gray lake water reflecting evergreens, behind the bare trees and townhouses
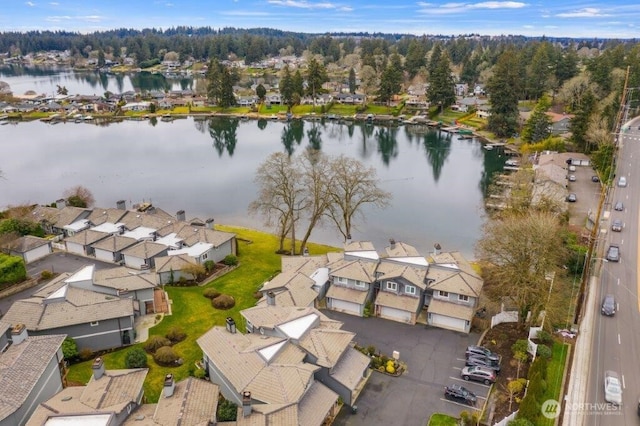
[207,167]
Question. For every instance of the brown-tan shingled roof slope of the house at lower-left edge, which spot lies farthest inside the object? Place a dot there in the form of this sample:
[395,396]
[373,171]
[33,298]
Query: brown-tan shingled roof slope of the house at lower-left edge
[22,366]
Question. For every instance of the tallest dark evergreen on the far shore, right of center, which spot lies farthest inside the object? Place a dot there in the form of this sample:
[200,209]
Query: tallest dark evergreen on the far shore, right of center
[503,87]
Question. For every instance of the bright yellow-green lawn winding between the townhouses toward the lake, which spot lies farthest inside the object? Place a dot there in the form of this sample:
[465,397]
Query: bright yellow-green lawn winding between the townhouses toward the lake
[194,314]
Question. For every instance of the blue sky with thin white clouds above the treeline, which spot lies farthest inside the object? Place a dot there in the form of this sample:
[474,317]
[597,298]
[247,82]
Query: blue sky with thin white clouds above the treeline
[561,18]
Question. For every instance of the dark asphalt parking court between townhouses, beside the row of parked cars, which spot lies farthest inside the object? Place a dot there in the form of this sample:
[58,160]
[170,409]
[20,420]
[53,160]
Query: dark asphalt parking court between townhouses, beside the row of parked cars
[433,357]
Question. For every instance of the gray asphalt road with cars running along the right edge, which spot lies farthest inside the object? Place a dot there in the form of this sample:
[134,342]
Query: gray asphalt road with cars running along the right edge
[616,340]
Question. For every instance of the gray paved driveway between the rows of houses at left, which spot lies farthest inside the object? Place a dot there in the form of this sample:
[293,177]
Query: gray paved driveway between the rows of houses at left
[57,262]
